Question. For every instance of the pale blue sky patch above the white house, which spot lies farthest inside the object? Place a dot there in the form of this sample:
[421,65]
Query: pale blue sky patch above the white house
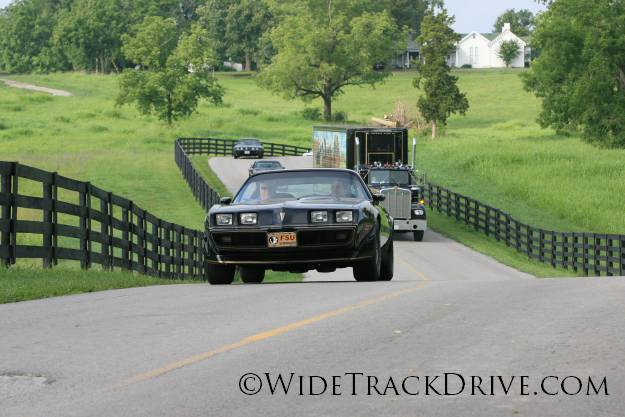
[478,15]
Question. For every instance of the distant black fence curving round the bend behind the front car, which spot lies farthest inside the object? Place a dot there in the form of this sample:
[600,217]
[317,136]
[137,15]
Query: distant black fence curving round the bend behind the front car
[184,147]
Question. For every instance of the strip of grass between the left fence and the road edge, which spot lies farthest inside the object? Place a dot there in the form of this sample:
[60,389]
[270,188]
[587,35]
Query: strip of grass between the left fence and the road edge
[23,283]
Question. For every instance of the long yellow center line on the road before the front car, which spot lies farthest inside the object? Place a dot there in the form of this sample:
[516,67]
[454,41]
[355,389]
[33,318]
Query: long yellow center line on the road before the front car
[265,335]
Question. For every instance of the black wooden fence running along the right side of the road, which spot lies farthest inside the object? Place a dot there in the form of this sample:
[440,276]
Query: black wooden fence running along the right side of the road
[590,253]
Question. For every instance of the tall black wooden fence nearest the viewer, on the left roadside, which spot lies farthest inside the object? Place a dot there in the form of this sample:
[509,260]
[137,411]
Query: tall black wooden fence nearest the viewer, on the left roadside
[46,216]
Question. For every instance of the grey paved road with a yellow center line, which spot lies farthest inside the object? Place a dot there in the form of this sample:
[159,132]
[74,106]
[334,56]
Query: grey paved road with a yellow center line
[181,350]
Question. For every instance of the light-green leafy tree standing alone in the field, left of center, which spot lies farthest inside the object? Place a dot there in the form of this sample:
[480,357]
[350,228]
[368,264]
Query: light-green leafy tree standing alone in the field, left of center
[174,70]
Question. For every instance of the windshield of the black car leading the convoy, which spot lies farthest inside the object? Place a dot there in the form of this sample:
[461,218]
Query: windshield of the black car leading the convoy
[284,186]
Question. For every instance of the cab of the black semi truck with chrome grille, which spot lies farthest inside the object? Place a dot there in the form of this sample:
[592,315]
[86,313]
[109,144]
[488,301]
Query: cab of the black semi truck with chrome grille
[403,190]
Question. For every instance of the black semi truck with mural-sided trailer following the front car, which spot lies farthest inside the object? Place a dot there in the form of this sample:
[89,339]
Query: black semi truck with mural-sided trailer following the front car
[380,155]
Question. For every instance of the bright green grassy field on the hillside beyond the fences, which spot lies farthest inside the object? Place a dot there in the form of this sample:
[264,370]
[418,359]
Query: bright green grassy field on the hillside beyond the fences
[497,153]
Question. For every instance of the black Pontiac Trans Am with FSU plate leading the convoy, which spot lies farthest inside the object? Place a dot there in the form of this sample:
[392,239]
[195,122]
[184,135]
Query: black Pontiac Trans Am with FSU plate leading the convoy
[299,220]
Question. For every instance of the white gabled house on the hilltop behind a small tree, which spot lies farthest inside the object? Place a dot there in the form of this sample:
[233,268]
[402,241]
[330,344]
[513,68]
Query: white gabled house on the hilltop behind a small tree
[481,50]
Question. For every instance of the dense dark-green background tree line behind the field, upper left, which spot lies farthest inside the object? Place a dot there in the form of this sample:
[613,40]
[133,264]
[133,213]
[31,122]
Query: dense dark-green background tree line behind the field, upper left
[86,35]
